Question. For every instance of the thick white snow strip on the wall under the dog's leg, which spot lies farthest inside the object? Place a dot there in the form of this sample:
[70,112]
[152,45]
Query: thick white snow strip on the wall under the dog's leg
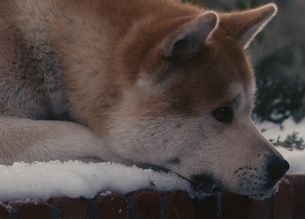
[73,179]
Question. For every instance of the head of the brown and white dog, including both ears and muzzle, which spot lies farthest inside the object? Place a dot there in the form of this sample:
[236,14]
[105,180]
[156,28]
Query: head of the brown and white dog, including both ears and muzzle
[187,102]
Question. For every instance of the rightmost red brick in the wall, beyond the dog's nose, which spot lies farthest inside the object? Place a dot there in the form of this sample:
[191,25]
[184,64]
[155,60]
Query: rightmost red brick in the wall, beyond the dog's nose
[298,183]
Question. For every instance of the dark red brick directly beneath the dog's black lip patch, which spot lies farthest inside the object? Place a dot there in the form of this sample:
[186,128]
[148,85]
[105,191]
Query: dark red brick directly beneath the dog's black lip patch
[206,208]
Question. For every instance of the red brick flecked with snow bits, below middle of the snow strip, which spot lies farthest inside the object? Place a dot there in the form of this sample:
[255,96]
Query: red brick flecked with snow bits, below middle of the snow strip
[112,206]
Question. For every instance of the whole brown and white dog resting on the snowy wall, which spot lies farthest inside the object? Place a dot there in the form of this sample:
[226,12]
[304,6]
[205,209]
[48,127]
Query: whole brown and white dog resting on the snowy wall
[146,82]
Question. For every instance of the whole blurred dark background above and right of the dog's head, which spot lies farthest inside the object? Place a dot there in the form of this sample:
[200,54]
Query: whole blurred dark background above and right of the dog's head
[278,55]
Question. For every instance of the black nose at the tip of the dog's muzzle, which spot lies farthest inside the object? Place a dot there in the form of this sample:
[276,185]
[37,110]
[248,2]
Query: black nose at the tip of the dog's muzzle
[276,168]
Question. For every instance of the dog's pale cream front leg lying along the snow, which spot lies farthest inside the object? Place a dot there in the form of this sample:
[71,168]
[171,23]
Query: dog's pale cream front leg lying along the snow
[30,140]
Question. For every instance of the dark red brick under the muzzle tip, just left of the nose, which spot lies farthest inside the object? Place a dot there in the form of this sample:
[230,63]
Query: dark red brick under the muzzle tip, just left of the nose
[259,209]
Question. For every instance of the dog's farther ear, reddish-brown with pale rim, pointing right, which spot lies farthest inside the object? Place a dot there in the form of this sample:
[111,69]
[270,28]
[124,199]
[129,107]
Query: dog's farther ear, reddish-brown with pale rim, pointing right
[245,25]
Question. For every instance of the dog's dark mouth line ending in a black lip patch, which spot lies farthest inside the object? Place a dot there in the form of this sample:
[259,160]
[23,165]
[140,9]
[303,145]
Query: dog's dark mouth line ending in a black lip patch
[204,183]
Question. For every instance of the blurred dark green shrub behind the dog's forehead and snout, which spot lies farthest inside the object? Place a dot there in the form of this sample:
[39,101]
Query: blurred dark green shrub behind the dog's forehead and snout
[281,90]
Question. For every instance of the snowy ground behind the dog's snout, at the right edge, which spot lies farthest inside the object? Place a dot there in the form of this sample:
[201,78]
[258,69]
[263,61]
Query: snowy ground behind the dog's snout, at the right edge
[296,158]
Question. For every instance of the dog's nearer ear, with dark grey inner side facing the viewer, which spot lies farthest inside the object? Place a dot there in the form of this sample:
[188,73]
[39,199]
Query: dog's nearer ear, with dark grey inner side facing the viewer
[188,40]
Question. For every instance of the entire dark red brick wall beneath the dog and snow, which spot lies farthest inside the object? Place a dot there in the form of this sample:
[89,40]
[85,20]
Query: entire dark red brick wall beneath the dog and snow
[287,203]
